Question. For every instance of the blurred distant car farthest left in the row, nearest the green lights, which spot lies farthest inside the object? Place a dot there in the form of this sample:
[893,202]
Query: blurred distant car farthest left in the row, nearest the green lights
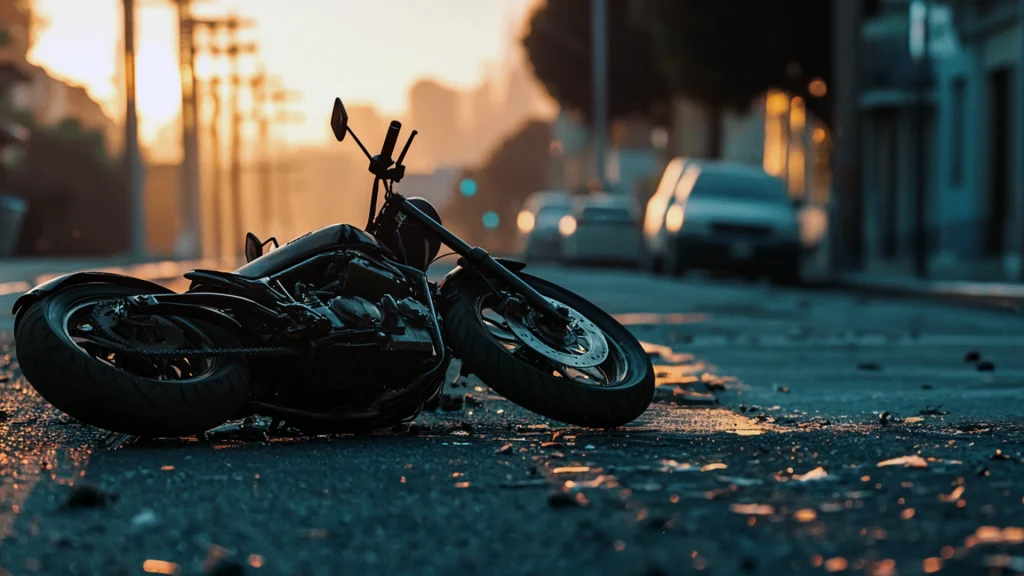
[538,224]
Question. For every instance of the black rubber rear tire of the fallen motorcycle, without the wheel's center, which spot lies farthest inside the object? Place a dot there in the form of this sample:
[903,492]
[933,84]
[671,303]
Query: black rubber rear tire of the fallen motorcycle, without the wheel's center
[99,394]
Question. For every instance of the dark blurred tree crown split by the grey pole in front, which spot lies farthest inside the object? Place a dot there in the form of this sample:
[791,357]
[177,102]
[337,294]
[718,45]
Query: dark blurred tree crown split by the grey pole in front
[559,47]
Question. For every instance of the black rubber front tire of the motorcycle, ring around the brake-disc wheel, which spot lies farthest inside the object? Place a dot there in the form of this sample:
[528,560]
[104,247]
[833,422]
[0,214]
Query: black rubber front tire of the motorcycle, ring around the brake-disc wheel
[541,391]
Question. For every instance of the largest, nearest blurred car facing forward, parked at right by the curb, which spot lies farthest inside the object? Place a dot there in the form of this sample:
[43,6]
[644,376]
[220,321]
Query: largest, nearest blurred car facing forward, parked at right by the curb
[734,218]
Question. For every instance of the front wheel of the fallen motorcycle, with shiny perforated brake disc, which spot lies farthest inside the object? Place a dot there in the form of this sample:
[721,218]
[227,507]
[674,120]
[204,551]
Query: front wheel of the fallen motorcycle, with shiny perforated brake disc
[556,381]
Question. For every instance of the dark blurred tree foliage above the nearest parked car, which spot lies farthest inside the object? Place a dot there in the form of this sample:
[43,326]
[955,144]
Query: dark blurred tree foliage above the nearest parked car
[724,55]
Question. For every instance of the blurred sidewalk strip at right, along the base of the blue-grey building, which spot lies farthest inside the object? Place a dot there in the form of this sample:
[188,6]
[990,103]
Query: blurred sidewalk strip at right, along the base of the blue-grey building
[1000,295]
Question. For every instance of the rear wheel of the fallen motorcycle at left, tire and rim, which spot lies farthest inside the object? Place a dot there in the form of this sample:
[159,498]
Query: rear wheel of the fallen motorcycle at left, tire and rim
[69,351]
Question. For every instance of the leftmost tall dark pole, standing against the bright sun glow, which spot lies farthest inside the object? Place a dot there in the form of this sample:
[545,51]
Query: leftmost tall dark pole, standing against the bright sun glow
[133,160]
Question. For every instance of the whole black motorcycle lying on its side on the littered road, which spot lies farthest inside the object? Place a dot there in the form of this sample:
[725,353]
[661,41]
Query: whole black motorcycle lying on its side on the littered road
[337,331]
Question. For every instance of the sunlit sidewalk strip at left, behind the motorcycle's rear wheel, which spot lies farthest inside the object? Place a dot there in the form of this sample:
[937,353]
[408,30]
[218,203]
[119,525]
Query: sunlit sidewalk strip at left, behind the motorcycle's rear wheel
[20,275]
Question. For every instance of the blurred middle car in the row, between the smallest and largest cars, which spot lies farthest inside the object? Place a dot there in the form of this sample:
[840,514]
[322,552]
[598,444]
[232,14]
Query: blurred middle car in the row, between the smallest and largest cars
[604,229]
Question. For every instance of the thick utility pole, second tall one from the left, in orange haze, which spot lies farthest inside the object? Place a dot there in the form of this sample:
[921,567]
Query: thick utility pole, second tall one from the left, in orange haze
[190,238]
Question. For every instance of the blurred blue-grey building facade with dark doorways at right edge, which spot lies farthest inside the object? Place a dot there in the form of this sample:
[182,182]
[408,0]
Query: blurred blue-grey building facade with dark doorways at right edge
[941,83]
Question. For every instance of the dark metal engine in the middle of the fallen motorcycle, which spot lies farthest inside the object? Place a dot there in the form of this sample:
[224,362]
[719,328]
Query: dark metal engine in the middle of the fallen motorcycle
[371,298]
